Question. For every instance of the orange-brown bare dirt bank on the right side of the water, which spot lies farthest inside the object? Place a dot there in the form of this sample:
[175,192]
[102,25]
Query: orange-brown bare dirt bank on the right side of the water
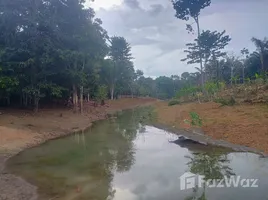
[241,124]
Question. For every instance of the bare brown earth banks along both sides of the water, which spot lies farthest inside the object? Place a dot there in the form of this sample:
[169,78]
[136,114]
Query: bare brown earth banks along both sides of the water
[243,128]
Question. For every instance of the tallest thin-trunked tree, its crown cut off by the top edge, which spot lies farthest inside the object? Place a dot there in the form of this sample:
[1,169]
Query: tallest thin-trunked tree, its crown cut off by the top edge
[191,8]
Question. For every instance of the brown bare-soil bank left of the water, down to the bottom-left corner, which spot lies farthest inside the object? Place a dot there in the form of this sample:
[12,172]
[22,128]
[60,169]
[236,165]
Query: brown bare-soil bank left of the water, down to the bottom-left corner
[22,129]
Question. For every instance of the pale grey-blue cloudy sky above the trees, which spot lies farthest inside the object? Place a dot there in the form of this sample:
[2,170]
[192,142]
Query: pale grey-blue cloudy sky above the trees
[158,38]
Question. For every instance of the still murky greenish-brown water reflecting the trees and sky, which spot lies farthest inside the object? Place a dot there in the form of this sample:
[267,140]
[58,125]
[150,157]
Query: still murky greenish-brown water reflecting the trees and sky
[125,159]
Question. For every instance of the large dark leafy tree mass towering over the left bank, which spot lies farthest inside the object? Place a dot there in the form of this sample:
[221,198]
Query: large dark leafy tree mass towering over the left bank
[49,49]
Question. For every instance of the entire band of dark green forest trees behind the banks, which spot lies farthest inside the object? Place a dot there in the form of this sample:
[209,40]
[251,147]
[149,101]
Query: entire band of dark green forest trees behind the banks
[57,52]
